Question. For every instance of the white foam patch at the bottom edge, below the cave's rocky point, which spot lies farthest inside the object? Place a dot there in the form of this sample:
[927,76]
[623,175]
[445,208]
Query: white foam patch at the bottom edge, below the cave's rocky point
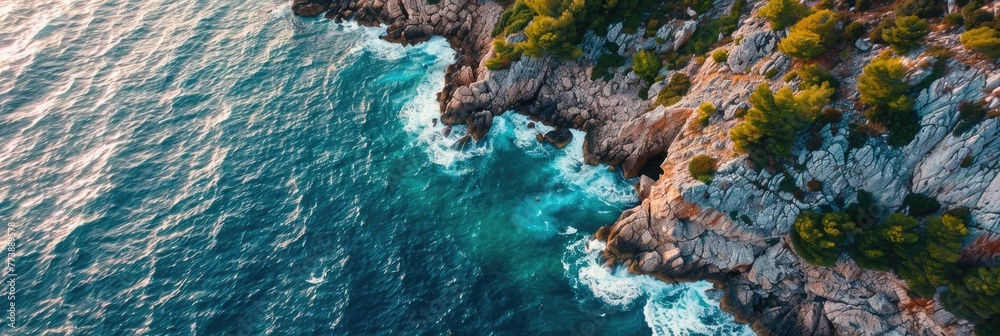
[669,309]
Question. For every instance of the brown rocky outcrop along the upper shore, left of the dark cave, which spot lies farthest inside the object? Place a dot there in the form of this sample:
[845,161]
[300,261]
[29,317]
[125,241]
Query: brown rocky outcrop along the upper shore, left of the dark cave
[559,93]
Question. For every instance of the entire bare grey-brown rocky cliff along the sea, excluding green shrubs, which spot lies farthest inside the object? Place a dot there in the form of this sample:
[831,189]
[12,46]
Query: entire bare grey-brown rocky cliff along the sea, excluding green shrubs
[734,231]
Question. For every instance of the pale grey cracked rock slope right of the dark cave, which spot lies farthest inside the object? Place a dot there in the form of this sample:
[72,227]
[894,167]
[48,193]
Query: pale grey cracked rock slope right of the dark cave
[734,231]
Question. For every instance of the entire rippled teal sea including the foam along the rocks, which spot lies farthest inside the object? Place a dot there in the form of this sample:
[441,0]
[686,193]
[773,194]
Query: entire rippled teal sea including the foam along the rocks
[225,168]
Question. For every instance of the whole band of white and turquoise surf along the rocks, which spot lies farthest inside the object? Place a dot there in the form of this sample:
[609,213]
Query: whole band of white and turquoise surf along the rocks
[669,309]
